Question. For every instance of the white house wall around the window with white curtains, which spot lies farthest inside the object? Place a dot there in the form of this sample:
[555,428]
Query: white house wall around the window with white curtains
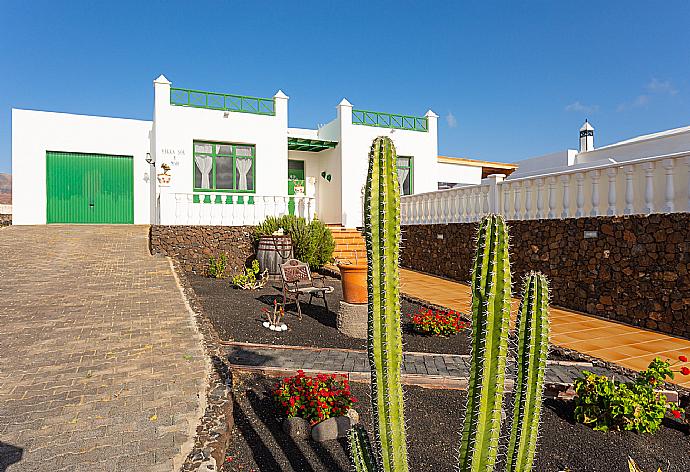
[177,127]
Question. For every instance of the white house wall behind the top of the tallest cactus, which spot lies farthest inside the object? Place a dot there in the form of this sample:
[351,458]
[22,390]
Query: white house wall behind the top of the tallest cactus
[355,143]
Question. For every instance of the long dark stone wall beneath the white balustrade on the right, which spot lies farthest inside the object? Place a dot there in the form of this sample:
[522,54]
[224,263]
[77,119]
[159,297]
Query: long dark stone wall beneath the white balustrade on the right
[636,270]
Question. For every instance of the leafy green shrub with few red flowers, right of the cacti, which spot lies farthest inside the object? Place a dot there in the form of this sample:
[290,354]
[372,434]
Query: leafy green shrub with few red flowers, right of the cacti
[606,404]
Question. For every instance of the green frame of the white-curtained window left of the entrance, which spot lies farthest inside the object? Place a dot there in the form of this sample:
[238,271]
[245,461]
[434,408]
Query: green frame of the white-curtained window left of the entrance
[217,153]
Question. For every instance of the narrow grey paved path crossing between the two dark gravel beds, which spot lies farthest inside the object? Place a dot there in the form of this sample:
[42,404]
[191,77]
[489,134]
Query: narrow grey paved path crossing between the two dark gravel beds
[434,370]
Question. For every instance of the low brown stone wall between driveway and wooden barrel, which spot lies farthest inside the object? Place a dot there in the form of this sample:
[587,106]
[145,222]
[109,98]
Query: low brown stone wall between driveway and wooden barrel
[192,246]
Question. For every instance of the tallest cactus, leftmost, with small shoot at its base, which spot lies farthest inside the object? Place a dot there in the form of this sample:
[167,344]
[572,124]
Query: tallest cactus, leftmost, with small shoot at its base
[382,234]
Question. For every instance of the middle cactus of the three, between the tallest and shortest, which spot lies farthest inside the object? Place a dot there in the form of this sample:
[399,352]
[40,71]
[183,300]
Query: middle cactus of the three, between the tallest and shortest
[490,324]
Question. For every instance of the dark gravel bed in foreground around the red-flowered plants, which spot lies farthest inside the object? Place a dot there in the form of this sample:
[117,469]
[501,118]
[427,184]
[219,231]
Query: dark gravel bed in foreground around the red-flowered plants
[433,425]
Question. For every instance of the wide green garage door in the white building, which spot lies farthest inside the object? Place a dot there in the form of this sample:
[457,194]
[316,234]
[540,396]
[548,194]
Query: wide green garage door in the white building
[89,188]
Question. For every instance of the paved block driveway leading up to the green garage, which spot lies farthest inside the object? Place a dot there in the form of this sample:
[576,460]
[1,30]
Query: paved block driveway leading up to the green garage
[100,363]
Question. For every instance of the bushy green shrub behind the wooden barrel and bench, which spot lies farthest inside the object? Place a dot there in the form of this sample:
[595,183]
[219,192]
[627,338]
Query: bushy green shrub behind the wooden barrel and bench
[311,242]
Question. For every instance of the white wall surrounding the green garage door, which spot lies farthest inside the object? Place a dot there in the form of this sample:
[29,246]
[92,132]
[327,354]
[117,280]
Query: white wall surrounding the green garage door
[35,132]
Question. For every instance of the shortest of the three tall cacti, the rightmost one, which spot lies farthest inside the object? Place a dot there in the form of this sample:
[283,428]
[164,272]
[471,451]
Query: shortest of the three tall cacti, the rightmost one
[533,346]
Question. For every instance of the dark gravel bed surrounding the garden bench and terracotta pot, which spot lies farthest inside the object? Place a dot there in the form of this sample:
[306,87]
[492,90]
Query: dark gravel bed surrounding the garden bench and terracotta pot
[236,315]
